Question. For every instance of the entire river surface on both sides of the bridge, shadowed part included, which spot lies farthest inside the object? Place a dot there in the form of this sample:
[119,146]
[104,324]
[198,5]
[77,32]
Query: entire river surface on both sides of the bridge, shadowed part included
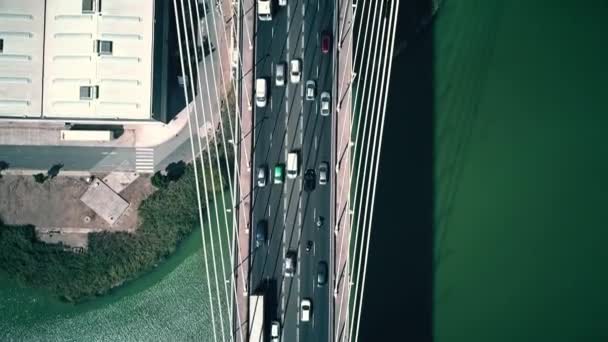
[490,224]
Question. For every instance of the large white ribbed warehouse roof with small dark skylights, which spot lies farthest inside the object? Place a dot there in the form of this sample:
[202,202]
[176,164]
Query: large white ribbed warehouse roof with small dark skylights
[97,59]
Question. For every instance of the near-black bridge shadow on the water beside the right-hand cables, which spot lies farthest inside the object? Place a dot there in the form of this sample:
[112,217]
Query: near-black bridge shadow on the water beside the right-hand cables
[399,284]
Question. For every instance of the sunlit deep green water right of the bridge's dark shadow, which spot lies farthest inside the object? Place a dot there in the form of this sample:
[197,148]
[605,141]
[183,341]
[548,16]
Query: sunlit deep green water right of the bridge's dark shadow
[522,165]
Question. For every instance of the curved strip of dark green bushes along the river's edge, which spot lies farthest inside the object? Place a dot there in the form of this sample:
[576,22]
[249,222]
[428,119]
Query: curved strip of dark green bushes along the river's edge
[166,218]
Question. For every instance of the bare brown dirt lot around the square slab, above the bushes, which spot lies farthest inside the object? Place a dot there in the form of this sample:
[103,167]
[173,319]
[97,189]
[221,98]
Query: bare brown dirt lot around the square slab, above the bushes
[56,205]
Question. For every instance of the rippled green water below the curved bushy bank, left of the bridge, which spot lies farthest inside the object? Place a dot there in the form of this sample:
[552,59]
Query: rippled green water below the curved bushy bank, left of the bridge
[169,303]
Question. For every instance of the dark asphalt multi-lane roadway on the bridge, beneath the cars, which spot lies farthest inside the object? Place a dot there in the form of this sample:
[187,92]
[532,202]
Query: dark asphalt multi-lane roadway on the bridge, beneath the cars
[289,122]
